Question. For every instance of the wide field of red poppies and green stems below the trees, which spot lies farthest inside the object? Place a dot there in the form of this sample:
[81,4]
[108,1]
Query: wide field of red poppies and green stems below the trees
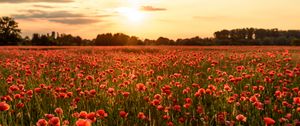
[151,86]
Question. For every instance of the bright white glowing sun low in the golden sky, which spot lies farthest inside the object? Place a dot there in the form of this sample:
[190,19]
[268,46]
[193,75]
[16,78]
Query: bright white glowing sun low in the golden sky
[132,14]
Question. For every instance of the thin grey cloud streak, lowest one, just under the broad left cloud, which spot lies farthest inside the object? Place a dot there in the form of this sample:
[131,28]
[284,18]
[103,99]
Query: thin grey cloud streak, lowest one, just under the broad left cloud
[75,21]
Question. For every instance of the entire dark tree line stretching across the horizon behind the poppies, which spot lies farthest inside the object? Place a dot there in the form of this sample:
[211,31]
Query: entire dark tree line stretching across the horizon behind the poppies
[10,34]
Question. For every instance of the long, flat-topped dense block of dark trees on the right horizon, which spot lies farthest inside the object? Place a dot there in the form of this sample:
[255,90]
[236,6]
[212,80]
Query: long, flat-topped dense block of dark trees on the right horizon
[254,36]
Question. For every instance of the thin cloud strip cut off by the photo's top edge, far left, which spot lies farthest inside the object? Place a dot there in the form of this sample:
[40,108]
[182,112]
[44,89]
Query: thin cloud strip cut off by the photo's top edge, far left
[33,1]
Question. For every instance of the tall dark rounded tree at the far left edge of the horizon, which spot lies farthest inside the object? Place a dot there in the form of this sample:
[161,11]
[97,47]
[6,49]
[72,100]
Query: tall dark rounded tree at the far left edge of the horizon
[9,32]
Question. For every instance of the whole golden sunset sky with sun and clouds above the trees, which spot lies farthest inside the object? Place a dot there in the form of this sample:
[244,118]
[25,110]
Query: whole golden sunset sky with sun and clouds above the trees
[150,18]
